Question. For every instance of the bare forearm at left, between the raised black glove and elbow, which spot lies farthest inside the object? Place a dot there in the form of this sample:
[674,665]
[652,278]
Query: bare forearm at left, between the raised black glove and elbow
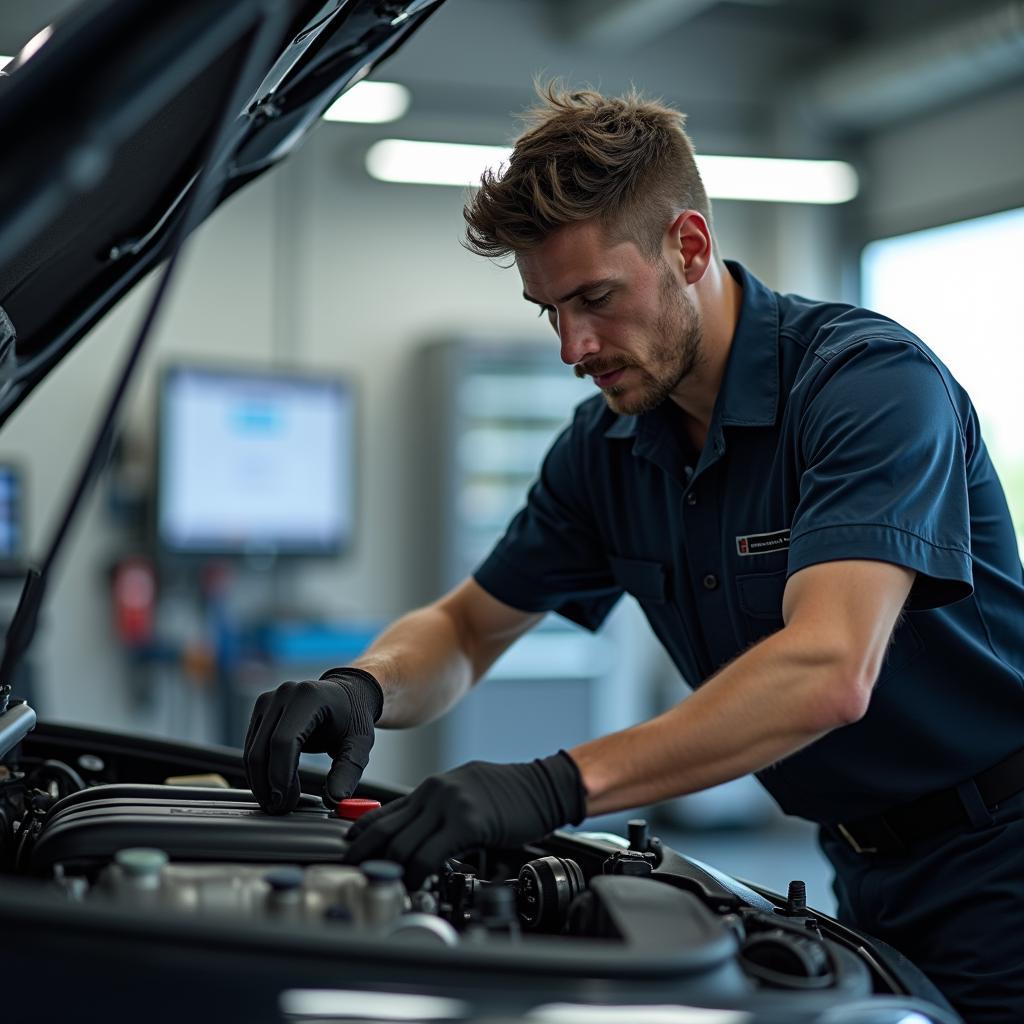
[421,665]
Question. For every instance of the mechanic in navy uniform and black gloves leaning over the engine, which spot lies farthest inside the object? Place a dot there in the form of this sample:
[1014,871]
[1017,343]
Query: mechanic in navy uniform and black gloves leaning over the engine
[798,495]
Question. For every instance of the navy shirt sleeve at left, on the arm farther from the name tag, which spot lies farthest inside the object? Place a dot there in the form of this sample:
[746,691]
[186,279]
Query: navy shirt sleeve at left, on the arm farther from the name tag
[552,558]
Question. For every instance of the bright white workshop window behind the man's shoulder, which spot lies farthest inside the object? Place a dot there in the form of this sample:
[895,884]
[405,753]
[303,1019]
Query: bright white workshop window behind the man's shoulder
[958,287]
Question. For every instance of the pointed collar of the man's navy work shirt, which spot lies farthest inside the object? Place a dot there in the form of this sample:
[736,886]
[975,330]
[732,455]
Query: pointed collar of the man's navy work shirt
[749,397]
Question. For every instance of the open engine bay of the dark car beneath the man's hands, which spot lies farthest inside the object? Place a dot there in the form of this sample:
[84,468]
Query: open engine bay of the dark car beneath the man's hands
[193,850]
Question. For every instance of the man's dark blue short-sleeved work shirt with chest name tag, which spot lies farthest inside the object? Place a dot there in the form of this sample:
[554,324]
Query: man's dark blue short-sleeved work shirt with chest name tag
[837,435]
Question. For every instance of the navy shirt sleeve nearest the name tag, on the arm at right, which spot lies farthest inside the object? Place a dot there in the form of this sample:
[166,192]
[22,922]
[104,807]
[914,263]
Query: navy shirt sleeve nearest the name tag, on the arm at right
[884,471]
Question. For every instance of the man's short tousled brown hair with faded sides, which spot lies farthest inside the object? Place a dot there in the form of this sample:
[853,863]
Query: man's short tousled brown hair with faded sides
[625,160]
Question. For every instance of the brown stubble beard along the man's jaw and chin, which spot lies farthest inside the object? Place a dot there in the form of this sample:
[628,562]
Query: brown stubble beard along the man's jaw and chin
[673,356]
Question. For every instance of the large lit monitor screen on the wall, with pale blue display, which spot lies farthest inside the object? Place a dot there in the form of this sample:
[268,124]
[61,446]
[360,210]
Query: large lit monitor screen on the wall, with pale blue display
[255,463]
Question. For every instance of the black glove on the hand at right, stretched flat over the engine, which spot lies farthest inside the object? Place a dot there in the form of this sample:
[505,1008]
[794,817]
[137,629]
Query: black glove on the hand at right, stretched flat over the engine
[477,804]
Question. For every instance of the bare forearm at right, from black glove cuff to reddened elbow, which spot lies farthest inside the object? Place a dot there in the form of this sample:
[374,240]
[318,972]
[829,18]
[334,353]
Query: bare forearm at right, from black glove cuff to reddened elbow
[776,699]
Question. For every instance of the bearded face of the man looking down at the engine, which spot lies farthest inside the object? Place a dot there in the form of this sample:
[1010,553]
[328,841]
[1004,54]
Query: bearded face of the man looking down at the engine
[622,320]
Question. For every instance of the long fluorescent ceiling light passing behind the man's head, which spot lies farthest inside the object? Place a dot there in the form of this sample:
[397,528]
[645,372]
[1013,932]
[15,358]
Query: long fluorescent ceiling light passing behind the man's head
[751,179]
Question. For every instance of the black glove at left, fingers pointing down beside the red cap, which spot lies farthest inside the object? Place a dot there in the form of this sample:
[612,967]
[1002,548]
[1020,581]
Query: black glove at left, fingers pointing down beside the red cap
[333,715]
